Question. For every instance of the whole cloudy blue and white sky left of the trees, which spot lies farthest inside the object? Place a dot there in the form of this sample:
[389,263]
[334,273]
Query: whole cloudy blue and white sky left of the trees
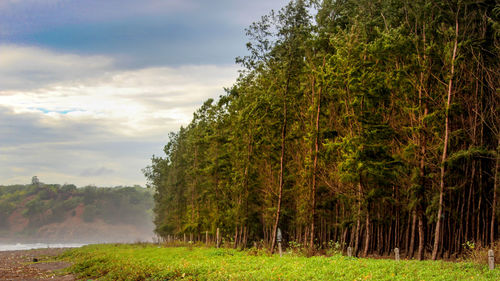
[90,89]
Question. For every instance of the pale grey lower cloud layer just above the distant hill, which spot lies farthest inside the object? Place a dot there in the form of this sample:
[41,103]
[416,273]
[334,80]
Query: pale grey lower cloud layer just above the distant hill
[63,149]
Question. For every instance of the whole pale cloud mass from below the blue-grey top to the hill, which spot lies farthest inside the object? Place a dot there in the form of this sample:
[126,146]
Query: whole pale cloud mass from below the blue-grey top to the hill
[95,118]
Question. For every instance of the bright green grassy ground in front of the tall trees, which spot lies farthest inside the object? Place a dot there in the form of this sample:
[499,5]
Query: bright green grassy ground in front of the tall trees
[150,262]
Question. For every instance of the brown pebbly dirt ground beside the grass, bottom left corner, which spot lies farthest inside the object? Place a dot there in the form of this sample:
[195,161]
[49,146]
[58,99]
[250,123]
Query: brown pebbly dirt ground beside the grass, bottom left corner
[19,265]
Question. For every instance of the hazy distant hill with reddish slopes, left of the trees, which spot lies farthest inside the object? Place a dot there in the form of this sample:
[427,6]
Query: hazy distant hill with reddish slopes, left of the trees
[51,212]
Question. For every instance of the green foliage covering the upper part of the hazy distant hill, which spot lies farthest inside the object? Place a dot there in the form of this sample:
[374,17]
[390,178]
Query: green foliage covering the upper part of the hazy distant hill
[45,204]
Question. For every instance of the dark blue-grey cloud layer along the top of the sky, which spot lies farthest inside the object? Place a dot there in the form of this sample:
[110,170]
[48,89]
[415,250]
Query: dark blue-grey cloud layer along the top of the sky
[137,33]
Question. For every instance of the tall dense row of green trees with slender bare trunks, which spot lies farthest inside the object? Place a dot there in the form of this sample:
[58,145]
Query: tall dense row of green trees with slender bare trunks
[374,124]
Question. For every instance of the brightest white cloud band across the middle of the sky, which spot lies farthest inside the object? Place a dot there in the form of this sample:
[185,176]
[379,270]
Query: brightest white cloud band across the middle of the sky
[80,87]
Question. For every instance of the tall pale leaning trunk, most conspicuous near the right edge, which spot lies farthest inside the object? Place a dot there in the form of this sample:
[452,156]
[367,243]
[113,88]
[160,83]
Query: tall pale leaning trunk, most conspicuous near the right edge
[437,234]
